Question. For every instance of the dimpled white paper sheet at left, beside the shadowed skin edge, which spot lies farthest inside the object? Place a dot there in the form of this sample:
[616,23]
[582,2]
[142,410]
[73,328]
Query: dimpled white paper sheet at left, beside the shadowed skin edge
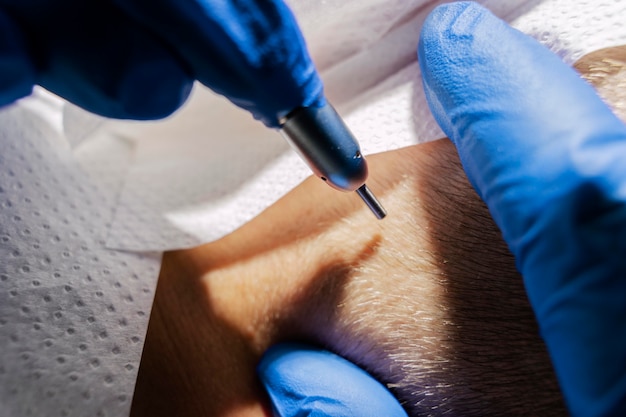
[73,314]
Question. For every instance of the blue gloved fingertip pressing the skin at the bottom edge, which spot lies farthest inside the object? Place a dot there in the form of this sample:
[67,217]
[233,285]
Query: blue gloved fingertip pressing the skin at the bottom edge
[306,381]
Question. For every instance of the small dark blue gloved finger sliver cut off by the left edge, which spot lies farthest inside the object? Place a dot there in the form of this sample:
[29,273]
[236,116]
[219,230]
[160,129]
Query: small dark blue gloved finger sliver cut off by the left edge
[17,73]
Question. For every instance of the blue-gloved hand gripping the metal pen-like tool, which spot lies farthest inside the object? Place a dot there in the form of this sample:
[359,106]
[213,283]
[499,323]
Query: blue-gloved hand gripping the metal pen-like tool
[138,59]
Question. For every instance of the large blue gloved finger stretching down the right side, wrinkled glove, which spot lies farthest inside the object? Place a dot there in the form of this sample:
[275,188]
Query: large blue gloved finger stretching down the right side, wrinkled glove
[548,157]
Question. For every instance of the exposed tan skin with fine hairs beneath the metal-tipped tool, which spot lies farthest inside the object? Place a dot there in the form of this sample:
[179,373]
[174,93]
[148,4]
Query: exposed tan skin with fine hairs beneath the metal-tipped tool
[427,300]
